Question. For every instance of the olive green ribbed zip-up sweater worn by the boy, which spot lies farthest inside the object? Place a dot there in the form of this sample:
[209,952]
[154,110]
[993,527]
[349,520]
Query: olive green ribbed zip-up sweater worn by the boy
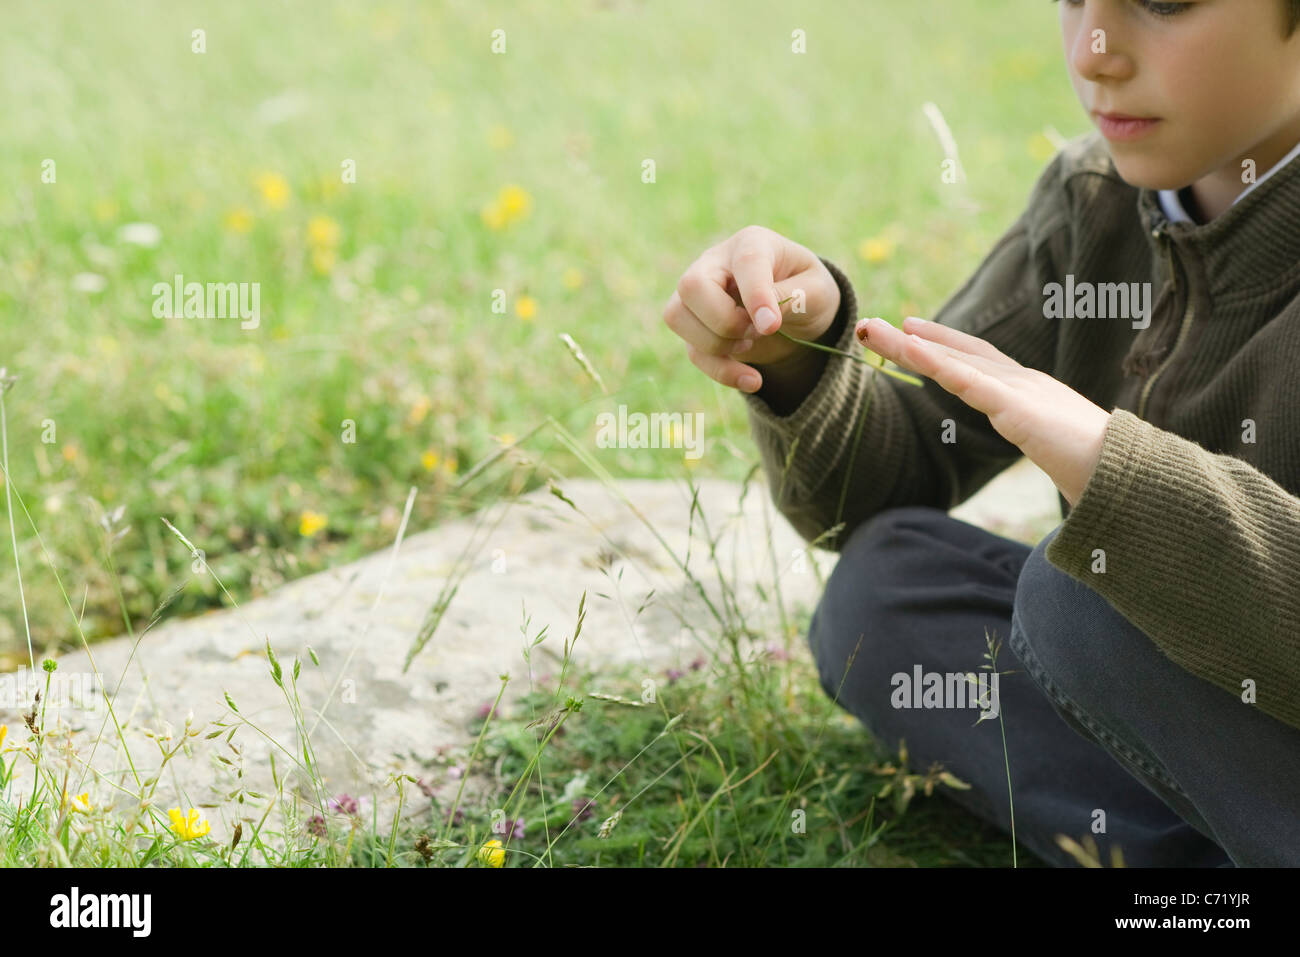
[1194,501]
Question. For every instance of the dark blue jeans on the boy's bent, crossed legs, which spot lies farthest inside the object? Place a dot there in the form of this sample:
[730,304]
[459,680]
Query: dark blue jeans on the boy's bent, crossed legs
[1100,725]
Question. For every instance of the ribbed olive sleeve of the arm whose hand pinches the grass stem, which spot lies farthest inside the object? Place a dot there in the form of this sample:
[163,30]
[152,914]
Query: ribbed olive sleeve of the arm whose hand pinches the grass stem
[920,445]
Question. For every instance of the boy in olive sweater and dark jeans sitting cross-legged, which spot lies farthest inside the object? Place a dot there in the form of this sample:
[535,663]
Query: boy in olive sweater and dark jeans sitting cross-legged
[1151,687]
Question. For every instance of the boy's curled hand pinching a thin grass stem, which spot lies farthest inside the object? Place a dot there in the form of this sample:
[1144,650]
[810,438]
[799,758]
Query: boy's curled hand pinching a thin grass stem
[718,301]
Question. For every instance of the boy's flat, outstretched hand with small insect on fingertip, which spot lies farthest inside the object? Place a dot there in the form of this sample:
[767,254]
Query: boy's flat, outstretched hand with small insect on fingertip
[1058,428]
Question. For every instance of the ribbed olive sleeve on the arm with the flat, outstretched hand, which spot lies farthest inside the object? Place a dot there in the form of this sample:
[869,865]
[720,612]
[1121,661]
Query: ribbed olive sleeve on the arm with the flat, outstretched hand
[1202,552]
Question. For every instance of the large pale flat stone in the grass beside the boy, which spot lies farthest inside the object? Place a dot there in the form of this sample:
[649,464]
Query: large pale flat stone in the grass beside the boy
[531,558]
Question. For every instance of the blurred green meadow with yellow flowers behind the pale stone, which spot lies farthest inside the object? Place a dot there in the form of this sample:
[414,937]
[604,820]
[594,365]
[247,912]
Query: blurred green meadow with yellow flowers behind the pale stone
[475,172]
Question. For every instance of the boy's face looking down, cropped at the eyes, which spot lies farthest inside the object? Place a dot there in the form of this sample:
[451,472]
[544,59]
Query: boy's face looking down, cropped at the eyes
[1219,75]
